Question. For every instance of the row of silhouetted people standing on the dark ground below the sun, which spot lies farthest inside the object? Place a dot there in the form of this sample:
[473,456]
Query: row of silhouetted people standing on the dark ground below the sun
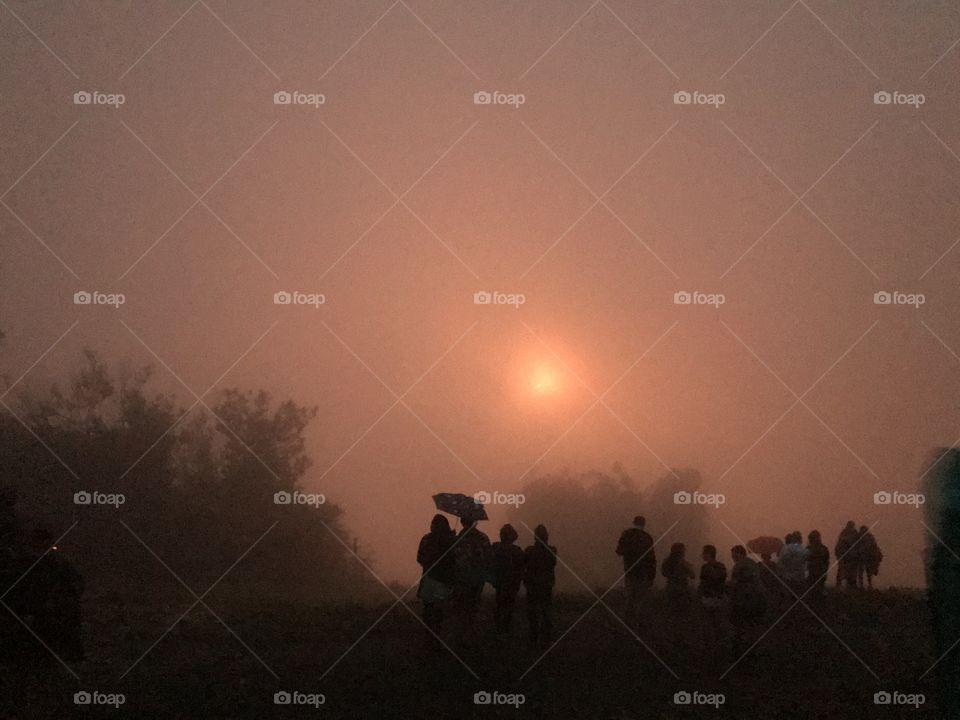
[456,566]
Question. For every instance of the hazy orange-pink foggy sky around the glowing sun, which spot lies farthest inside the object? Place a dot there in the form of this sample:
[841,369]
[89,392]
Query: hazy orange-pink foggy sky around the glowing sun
[597,199]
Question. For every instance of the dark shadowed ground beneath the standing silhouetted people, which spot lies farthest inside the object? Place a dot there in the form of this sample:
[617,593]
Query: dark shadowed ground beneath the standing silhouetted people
[867,643]
